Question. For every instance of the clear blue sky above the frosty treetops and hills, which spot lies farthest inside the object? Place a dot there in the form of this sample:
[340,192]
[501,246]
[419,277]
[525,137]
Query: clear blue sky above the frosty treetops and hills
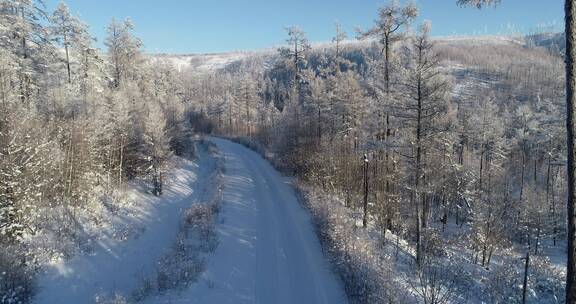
[203,26]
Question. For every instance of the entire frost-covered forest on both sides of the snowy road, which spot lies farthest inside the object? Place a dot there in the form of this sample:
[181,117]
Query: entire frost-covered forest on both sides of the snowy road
[434,169]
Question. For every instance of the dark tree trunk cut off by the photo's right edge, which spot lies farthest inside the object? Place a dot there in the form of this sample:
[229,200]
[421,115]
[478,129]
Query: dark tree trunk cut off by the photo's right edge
[570,11]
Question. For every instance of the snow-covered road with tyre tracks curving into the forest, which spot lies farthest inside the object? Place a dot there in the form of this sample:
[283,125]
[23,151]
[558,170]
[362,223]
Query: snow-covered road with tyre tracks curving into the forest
[268,251]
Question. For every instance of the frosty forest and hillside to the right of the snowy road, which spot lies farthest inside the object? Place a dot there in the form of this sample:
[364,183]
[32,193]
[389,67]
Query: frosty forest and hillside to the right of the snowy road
[433,167]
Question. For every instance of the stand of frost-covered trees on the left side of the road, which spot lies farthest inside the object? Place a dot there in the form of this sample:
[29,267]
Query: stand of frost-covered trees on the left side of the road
[69,137]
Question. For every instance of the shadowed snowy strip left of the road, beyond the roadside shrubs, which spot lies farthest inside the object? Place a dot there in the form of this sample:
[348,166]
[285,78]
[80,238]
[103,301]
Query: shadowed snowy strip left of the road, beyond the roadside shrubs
[119,265]
